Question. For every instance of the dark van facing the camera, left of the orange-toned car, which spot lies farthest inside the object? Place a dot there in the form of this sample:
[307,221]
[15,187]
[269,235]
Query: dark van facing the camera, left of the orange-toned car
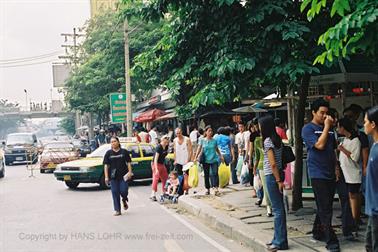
[20,148]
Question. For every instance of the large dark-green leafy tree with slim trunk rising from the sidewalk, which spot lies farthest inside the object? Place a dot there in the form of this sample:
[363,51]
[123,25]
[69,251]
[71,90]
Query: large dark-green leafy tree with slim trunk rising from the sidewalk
[214,52]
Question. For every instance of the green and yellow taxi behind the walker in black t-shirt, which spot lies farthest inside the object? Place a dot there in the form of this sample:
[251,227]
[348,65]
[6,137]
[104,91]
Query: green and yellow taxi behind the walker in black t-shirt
[91,168]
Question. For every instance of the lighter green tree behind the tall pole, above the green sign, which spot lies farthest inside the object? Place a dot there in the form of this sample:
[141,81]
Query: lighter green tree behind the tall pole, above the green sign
[101,68]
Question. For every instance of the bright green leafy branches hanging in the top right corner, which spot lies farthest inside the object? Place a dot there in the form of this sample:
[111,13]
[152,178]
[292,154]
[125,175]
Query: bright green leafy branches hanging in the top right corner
[356,31]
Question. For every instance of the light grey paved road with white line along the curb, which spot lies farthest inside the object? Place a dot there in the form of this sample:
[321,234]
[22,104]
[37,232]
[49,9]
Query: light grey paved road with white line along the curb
[41,214]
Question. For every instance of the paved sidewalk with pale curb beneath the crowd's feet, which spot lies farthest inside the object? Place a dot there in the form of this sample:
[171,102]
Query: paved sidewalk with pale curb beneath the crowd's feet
[235,215]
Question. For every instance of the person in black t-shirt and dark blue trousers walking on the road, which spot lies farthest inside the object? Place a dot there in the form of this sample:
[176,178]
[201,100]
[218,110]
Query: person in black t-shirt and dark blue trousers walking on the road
[117,167]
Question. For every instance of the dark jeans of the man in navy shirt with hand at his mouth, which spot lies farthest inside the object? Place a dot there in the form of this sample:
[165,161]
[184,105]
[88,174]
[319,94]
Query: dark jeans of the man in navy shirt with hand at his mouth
[324,191]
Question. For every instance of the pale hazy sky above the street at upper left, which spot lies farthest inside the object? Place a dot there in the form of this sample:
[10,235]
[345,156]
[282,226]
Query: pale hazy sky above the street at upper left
[31,28]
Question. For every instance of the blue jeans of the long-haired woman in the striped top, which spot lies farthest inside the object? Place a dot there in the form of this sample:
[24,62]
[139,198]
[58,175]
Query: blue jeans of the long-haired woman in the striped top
[278,208]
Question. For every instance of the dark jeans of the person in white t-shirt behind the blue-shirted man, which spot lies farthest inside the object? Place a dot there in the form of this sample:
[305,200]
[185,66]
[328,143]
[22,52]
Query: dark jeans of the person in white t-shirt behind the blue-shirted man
[346,212]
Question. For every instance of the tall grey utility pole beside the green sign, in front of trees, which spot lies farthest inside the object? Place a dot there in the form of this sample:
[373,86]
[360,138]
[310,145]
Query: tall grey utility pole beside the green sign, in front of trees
[129,122]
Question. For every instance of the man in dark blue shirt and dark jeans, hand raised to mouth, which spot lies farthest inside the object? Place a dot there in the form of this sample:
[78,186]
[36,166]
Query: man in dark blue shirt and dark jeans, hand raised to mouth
[321,162]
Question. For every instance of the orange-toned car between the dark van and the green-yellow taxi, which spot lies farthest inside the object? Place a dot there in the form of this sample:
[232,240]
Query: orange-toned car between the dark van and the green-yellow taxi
[55,153]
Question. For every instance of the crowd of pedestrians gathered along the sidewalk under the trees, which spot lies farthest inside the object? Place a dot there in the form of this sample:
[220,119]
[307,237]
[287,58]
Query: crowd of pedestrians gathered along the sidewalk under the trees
[338,160]
